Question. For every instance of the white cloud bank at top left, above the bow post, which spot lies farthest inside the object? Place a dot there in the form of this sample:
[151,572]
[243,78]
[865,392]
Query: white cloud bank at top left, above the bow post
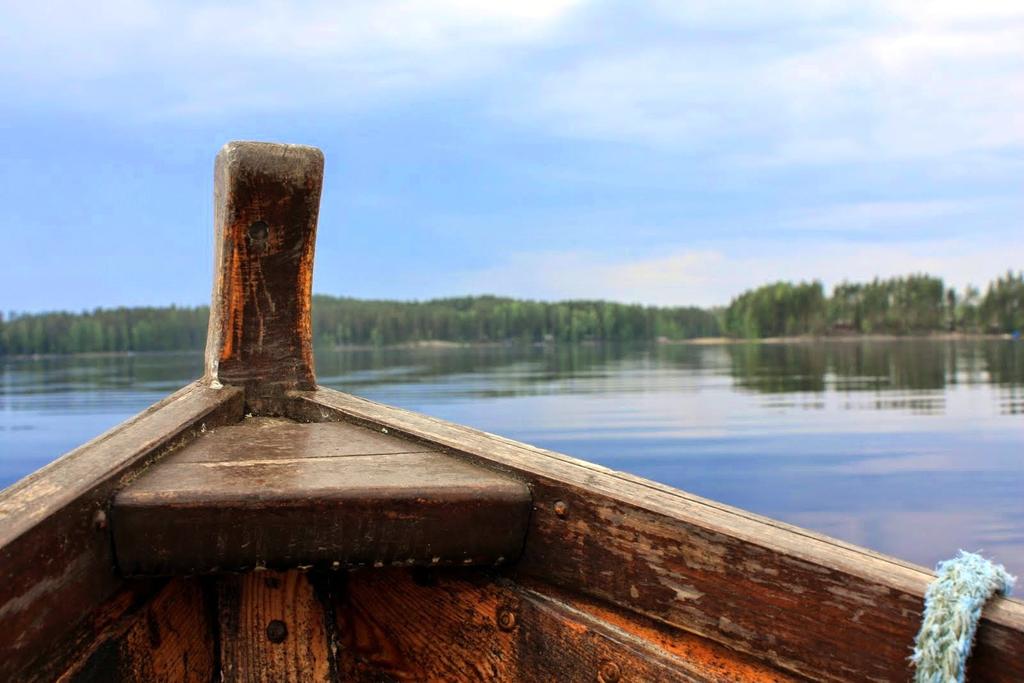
[234,57]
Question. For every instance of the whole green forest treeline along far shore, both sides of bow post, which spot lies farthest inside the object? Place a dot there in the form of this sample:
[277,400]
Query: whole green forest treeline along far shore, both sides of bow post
[901,306]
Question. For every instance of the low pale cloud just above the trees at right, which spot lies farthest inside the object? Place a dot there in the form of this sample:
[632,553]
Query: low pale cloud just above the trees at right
[713,277]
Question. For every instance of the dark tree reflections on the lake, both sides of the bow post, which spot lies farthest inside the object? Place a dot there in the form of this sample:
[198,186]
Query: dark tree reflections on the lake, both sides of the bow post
[900,374]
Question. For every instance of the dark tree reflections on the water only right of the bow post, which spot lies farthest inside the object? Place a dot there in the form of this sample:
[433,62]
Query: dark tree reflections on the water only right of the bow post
[882,367]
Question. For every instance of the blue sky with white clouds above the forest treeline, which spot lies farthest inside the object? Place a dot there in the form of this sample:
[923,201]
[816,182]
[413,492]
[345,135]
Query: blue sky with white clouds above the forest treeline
[670,152]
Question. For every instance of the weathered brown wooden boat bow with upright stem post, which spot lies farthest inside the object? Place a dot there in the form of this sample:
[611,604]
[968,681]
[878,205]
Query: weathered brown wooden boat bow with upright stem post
[255,527]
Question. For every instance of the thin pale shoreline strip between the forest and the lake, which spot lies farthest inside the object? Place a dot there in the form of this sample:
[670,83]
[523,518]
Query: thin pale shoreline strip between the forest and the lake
[445,345]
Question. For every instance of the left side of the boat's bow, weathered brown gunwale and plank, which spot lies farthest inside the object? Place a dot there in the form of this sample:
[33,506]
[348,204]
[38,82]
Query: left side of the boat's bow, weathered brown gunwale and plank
[57,564]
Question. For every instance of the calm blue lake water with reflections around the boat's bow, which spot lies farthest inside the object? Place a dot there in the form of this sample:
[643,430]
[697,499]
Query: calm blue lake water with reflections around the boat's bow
[912,448]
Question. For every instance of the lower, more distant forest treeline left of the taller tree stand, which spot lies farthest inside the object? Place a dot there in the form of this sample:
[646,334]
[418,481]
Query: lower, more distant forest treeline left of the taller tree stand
[340,321]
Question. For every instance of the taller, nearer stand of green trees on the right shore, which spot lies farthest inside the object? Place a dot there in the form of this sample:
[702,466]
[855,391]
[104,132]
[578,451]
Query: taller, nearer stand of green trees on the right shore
[913,305]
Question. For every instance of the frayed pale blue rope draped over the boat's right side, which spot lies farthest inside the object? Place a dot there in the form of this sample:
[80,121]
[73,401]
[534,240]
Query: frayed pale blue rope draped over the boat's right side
[953,609]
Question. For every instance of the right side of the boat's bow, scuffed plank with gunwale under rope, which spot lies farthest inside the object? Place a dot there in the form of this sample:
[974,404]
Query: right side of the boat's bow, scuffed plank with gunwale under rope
[810,605]
